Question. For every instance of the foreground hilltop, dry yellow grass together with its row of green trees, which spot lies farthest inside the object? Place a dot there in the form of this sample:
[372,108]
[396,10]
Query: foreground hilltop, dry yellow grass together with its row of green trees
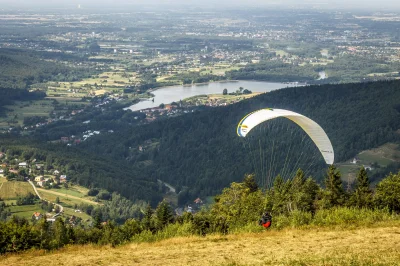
[310,226]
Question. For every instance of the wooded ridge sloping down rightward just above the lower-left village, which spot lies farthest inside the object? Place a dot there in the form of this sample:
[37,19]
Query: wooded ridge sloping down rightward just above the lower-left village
[86,169]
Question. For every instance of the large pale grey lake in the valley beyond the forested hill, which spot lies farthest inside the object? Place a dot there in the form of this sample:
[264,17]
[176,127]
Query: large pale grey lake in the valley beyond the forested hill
[176,93]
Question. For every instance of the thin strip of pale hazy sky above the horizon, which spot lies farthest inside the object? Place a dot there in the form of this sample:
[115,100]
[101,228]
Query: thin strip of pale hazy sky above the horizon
[374,5]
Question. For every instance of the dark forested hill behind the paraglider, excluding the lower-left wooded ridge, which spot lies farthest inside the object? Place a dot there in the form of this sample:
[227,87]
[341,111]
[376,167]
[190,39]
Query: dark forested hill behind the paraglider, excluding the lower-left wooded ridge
[200,153]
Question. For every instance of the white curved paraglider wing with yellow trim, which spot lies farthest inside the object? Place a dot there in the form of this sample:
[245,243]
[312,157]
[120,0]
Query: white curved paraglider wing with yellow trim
[313,130]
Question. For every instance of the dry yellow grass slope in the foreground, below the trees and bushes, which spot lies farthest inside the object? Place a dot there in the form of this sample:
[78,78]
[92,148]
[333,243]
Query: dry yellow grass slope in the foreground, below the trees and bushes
[361,246]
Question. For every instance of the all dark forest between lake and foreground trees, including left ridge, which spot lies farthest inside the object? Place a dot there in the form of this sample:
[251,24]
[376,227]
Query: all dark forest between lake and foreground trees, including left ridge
[200,153]
